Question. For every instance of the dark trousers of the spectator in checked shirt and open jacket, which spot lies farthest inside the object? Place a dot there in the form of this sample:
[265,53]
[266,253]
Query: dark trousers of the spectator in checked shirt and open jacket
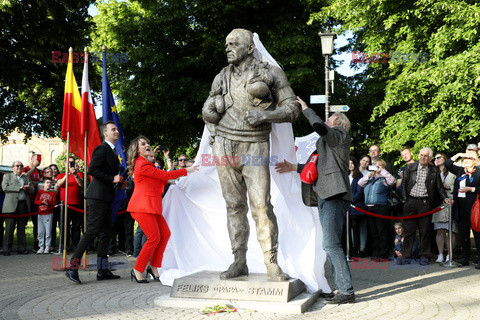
[424,224]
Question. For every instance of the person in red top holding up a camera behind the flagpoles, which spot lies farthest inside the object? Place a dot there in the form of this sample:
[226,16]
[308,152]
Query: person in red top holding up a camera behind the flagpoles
[75,184]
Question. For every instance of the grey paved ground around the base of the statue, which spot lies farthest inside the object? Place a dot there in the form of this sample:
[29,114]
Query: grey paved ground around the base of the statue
[30,289]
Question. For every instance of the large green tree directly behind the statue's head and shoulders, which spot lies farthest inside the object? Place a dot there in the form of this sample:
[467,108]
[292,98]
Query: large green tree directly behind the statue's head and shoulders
[176,48]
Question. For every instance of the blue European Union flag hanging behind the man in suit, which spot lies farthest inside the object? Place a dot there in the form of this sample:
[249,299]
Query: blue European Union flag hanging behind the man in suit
[110,114]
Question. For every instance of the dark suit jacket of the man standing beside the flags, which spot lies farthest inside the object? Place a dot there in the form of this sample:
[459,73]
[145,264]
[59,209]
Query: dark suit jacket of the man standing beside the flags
[103,168]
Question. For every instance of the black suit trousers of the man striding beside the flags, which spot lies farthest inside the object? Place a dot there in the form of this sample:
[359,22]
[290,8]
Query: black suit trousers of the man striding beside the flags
[99,222]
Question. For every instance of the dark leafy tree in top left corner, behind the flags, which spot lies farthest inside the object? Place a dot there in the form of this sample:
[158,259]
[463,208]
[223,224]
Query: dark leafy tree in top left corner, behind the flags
[31,85]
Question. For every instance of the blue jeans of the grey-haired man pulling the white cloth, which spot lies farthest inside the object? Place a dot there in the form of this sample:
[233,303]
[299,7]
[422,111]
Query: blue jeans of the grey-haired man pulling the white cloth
[332,217]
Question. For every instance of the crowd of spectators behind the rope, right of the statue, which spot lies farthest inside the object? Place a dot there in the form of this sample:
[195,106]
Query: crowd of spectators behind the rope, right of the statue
[422,186]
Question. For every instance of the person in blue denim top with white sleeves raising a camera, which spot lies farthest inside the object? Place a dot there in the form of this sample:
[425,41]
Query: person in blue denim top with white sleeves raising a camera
[376,186]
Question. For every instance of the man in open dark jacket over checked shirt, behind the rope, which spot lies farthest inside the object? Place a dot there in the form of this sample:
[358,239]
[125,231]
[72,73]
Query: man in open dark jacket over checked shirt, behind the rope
[421,186]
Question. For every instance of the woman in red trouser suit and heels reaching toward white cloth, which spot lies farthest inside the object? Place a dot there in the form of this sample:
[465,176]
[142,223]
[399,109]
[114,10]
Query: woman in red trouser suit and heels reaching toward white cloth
[145,206]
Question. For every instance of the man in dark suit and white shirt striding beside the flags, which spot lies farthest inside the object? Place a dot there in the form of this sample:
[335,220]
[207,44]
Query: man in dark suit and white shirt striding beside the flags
[104,169]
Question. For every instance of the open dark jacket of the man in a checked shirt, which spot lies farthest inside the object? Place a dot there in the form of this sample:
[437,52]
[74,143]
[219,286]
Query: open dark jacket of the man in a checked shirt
[433,183]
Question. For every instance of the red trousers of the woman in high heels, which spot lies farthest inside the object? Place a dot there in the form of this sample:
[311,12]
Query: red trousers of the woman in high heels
[157,232]
